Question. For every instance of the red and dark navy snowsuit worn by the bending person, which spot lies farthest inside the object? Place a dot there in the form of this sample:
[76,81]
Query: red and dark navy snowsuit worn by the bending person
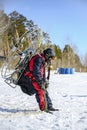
[33,79]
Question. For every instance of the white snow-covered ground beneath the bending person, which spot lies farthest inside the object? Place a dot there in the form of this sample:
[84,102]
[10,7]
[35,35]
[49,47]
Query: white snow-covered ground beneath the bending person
[68,93]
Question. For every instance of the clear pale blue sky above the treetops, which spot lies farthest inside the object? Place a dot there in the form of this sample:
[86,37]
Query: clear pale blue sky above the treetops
[64,20]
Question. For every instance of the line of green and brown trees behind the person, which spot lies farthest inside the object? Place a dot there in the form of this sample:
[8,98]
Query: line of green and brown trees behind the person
[15,25]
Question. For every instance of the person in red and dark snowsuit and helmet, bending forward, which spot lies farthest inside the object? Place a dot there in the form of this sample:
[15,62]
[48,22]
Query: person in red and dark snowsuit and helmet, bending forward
[33,80]
